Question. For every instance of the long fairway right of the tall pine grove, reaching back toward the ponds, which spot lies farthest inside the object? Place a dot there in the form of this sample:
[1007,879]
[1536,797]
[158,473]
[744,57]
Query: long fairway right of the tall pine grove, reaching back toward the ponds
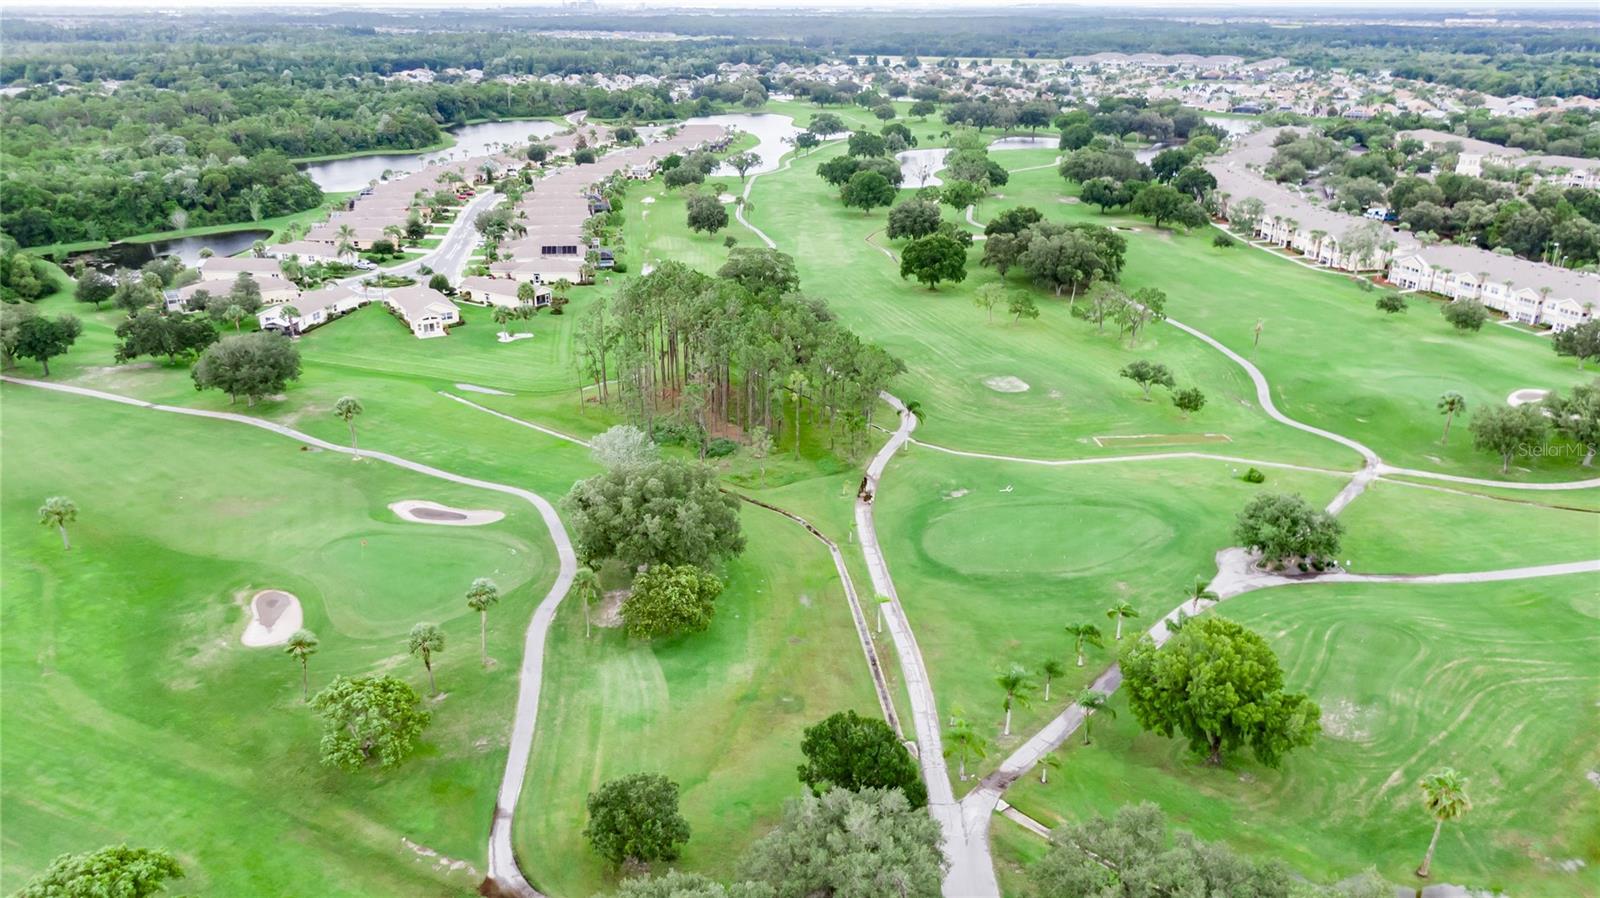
[954,353]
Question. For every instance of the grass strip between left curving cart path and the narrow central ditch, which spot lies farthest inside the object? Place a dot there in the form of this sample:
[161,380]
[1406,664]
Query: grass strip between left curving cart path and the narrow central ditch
[719,713]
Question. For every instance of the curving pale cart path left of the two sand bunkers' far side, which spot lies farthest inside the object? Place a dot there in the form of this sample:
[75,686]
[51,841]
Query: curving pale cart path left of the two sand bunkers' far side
[503,862]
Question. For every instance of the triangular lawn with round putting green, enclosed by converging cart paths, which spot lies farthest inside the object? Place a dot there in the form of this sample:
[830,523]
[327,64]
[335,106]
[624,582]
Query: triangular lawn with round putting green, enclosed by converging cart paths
[991,577]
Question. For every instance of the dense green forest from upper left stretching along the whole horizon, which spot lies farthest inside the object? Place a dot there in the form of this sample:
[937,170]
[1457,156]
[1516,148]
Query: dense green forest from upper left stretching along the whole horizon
[124,126]
